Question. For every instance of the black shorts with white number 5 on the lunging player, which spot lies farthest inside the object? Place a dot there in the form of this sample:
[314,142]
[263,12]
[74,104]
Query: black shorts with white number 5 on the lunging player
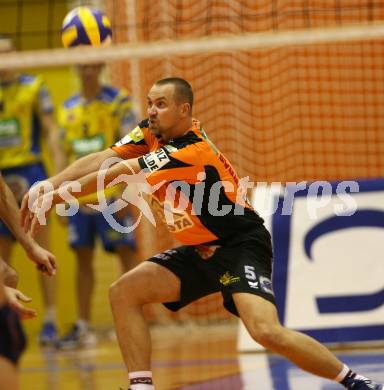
[206,269]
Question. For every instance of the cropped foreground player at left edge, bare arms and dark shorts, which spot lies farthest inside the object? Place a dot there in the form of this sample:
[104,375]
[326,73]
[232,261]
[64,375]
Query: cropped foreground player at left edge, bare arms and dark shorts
[12,339]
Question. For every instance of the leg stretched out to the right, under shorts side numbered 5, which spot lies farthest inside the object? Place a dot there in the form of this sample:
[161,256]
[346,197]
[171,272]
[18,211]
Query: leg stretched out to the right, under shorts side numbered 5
[251,297]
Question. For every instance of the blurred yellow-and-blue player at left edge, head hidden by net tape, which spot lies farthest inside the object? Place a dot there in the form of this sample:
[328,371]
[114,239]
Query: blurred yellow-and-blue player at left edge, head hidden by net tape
[26,118]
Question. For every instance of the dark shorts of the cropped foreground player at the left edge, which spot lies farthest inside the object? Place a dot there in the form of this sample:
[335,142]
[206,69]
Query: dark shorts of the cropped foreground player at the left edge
[12,338]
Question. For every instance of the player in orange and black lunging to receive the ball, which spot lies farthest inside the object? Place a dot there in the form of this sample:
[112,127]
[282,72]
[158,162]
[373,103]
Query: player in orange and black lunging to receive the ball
[225,248]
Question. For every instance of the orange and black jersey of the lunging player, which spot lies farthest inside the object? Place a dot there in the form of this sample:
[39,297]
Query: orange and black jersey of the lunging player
[199,196]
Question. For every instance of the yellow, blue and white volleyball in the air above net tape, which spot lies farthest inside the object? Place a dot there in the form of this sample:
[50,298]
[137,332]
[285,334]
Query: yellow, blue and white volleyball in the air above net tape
[85,26]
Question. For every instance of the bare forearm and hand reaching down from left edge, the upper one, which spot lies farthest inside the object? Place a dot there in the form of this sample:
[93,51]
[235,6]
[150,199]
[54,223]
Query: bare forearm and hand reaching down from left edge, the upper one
[9,213]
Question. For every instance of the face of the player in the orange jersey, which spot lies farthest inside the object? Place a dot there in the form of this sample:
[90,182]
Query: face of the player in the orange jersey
[164,112]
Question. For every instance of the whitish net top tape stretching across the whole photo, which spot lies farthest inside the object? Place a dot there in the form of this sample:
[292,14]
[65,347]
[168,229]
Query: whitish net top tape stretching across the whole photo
[212,44]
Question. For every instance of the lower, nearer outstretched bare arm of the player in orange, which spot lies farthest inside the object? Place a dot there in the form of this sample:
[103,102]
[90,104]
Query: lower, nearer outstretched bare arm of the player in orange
[89,184]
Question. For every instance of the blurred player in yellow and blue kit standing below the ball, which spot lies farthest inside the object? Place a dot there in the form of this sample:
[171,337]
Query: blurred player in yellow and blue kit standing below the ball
[91,121]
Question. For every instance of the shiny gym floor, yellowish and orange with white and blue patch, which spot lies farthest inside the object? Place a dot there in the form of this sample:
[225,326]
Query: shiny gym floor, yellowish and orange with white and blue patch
[184,358]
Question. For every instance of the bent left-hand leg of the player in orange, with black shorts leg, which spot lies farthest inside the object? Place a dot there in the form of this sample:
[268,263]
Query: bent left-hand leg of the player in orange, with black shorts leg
[176,277]
